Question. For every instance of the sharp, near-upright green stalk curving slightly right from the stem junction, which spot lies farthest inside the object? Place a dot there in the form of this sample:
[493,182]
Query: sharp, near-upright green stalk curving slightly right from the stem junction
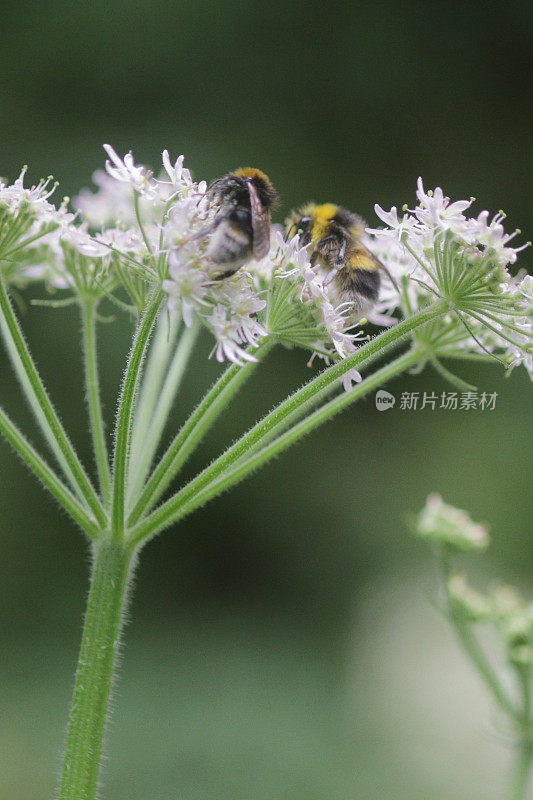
[126,409]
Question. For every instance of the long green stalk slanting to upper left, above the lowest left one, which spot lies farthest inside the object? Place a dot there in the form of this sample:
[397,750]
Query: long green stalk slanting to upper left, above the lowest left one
[42,407]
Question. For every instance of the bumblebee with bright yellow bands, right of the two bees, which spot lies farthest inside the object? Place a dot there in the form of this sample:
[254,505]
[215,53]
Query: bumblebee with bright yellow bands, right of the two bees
[333,235]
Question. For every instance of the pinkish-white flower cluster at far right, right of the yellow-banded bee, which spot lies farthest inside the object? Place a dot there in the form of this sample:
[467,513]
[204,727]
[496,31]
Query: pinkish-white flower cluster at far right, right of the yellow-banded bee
[442,251]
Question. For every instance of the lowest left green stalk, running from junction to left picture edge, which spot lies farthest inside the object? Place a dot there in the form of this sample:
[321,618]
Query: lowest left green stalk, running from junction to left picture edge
[47,476]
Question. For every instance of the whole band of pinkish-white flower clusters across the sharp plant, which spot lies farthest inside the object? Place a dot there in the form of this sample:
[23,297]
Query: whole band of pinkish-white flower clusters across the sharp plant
[135,232]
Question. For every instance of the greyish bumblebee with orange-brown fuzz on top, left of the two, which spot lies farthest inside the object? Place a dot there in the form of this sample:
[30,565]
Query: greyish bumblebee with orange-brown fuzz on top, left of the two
[241,228]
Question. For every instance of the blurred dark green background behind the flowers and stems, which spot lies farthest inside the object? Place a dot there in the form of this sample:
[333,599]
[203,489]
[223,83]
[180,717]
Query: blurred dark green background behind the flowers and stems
[281,642]
